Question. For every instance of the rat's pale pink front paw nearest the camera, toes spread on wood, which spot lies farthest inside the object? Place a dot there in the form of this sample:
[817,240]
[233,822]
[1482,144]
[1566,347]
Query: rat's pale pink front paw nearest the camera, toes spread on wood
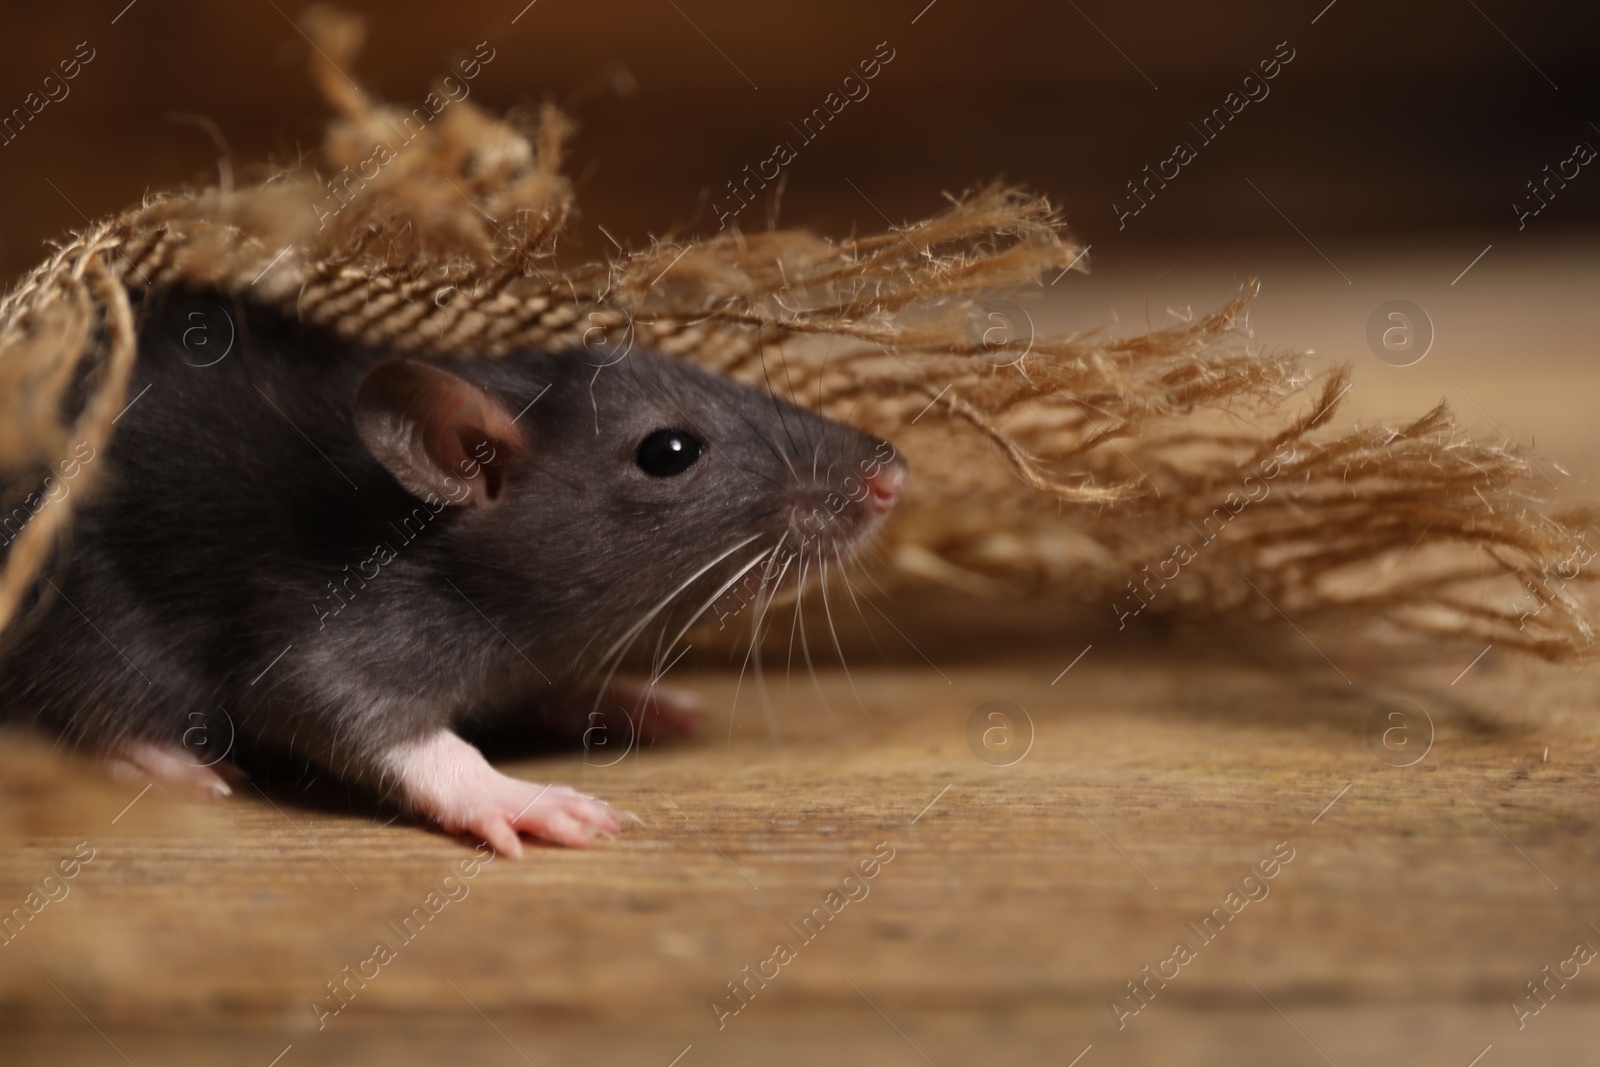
[449,780]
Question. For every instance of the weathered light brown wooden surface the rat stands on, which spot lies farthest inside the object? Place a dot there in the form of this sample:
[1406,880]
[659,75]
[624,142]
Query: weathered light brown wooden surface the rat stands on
[1020,900]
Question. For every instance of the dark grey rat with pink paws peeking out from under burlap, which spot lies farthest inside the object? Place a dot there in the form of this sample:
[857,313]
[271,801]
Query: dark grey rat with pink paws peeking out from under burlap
[351,556]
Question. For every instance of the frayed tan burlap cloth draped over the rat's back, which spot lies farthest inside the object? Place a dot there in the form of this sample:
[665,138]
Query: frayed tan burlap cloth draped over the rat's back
[1084,466]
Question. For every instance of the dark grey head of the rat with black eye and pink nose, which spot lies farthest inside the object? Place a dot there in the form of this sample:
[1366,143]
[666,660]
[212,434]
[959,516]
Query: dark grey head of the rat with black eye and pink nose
[630,498]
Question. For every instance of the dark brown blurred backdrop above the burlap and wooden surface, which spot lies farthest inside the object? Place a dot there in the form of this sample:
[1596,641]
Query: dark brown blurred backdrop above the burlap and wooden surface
[1393,121]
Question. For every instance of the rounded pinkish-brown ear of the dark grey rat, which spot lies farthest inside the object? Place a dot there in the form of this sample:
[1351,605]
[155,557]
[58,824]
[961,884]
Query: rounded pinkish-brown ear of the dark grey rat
[436,433]
